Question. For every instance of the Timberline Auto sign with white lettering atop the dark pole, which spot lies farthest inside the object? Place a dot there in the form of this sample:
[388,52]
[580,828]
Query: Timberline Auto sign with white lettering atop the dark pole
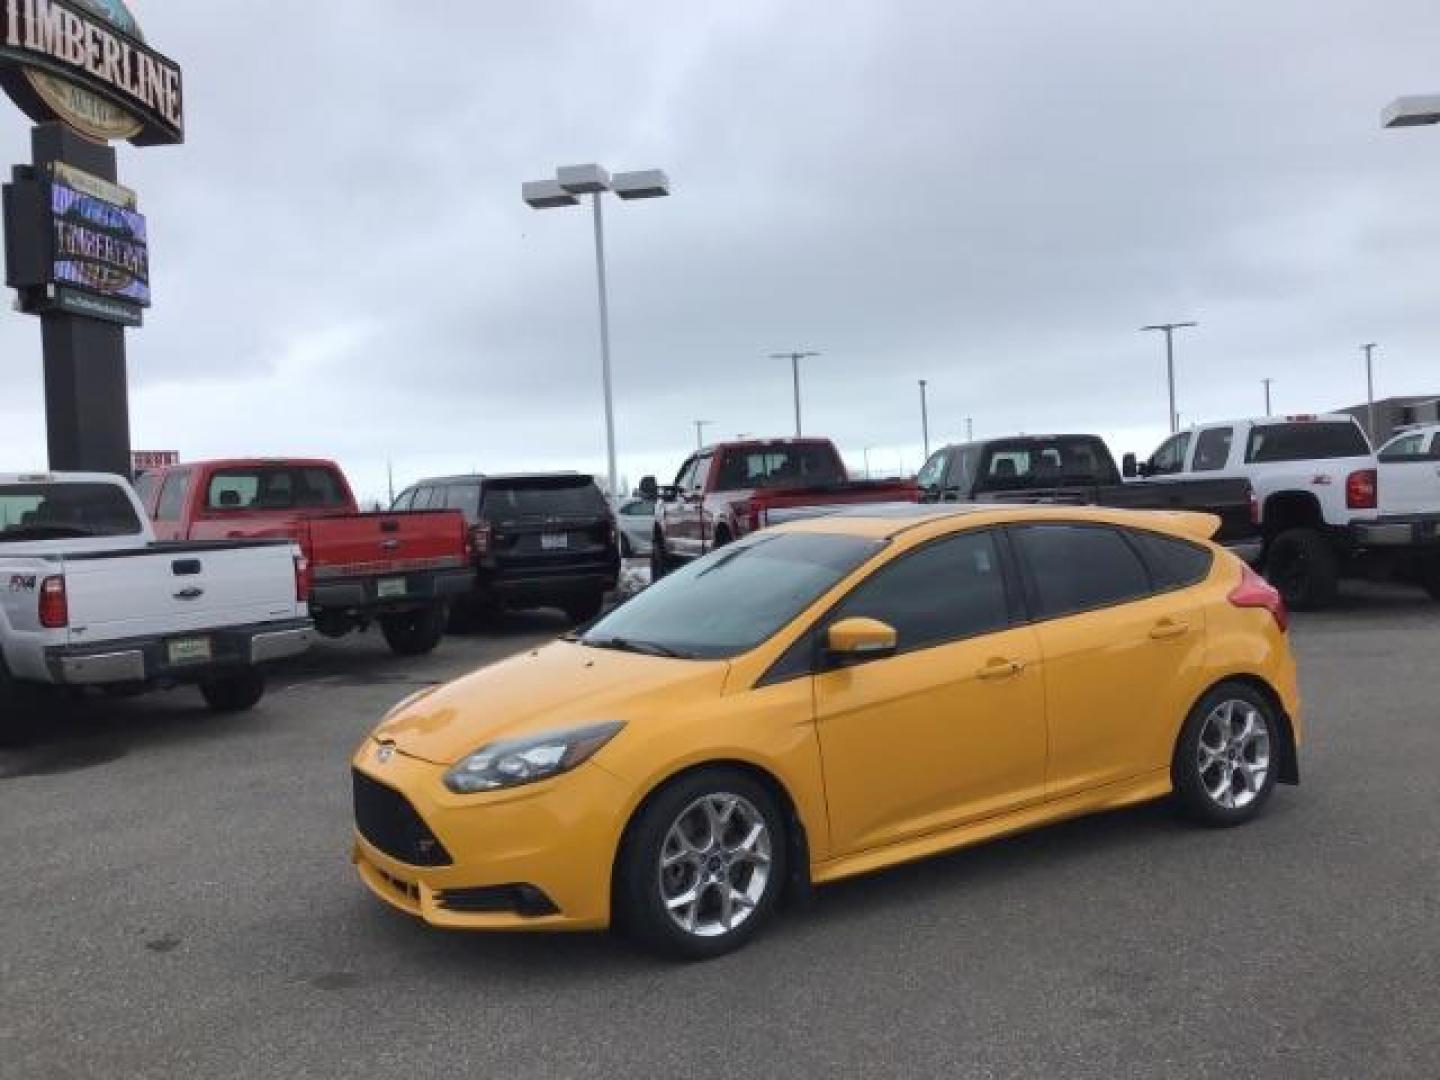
[84,63]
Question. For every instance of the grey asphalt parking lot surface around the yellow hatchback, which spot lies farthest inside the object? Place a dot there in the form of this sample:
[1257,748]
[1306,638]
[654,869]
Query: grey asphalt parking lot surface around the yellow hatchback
[178,902]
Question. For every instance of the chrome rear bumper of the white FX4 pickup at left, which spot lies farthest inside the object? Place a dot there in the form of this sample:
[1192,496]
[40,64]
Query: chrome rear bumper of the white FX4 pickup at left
[149,660]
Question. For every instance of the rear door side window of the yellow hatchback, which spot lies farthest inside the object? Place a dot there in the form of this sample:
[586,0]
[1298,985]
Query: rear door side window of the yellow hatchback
[1079,568]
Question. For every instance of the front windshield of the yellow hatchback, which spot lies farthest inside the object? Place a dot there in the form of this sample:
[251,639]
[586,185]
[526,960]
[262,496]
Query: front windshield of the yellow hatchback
[735,598]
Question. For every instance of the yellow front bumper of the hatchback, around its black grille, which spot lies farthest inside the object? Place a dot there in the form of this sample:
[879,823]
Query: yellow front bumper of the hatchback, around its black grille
[558,839]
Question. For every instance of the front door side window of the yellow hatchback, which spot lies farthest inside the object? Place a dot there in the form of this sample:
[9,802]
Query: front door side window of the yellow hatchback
[947,591]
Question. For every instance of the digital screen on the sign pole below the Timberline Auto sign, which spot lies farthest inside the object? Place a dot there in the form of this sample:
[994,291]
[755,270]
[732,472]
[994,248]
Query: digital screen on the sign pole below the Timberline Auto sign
[100,247]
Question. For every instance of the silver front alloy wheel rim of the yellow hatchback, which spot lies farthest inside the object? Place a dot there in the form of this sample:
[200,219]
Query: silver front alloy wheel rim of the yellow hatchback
[715,865]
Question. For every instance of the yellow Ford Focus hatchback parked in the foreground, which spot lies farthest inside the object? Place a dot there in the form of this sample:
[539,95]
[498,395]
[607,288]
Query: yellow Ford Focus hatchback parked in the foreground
[829,699]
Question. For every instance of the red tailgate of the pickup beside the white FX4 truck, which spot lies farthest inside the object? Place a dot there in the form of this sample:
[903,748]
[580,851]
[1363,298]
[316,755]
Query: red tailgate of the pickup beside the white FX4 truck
[374,545]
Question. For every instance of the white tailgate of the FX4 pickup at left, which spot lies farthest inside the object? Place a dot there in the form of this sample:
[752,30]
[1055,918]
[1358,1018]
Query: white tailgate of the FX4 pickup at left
[179,588]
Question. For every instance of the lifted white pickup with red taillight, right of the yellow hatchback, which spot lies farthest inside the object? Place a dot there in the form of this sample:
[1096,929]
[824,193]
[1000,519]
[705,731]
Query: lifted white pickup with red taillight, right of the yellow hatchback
[1326,503]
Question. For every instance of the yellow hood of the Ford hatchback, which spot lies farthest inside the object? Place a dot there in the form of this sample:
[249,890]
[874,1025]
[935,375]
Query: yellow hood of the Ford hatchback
[558,686]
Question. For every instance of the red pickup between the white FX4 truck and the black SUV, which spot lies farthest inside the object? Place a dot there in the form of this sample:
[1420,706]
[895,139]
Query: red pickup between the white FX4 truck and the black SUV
[397,570]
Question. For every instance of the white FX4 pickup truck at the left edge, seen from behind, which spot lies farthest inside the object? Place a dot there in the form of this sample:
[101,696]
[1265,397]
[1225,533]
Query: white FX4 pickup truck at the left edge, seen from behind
[90,600]
